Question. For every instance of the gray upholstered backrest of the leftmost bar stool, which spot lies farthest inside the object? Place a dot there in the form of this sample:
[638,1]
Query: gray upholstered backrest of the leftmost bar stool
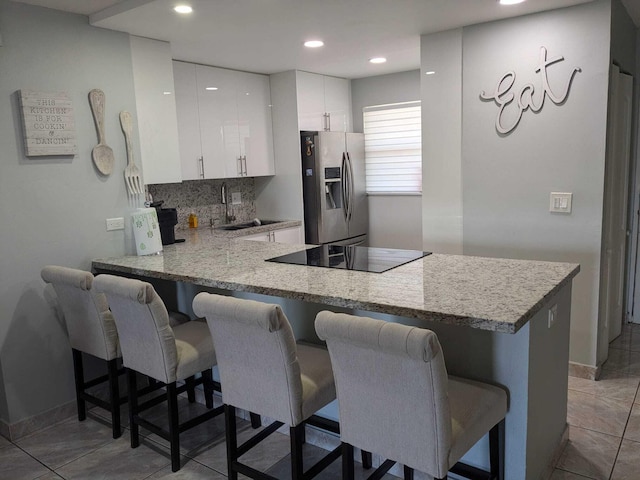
[90,325]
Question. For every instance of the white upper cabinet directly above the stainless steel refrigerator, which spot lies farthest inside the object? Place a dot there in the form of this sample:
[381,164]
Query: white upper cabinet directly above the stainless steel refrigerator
[324,103]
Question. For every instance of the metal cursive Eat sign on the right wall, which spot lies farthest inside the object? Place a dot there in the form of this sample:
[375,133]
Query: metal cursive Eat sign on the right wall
[526,98]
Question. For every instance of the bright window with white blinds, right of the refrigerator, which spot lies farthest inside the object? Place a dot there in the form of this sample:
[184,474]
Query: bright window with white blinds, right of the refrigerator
[393,149]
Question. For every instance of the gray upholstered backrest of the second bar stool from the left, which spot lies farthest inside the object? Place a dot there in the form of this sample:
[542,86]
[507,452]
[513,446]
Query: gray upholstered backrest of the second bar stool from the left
[146,338]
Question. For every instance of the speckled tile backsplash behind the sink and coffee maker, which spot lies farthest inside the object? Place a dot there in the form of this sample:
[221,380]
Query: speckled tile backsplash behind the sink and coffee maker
[202,197]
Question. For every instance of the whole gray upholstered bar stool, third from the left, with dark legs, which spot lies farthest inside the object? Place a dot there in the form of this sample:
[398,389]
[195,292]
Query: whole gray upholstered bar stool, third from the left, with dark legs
[262,370]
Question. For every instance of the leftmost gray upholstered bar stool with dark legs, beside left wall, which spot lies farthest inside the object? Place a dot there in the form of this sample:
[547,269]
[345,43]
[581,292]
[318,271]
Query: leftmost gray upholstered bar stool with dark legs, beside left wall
[91,330]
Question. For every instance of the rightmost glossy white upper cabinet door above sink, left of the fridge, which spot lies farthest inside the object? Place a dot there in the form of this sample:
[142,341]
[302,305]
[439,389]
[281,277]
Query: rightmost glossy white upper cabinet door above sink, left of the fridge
[254,126]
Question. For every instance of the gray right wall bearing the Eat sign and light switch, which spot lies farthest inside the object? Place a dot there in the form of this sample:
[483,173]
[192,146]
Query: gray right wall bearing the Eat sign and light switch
[507,179]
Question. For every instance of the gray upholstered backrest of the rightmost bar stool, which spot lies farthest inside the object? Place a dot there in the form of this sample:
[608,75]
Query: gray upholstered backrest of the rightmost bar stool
[391,384]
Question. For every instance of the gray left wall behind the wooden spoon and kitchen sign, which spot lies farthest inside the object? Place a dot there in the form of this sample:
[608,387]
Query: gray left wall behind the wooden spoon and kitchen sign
[53,208]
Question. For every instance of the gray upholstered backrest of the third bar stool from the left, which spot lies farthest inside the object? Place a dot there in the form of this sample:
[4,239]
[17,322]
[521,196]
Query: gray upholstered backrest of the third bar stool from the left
[256,353]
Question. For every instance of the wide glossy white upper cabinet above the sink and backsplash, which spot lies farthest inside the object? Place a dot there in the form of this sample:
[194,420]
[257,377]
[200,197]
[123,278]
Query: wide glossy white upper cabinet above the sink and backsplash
[227,122]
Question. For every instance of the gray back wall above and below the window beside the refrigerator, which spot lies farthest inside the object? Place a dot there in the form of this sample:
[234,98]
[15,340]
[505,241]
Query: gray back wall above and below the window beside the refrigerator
[395,221]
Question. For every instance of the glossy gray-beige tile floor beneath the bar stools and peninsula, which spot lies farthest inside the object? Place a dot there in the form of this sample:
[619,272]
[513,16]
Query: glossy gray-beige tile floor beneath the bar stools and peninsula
[604,439]
